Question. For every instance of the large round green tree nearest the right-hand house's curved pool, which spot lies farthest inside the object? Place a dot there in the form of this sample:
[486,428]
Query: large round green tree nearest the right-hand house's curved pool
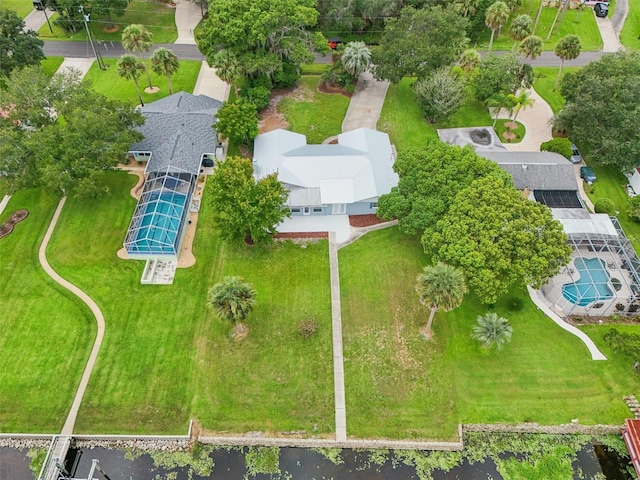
[498,239]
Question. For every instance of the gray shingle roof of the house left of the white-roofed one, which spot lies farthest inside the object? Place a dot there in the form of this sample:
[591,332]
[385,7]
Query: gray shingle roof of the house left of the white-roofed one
[178,130]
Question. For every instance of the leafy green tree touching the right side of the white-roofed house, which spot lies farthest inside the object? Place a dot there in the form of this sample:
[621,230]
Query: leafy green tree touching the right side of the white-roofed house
[430,178]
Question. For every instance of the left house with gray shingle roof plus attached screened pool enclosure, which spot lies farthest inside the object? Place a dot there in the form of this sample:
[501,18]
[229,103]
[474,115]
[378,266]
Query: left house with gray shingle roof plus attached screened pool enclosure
[178,134]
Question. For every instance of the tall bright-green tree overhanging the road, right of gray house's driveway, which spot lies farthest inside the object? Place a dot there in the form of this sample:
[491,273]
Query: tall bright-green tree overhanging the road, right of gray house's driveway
[264,36]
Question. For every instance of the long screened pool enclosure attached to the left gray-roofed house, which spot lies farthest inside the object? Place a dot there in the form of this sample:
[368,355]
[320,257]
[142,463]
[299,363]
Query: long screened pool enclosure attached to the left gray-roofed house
[158,221]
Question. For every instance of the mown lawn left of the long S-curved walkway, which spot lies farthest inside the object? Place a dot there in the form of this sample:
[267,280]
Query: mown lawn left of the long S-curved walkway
[46,333]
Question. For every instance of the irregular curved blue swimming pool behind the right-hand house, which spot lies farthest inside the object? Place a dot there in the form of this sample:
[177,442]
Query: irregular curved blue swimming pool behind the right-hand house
[593,284]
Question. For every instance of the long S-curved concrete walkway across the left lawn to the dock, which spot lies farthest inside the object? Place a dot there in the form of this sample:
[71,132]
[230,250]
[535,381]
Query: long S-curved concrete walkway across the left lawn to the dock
[67,429]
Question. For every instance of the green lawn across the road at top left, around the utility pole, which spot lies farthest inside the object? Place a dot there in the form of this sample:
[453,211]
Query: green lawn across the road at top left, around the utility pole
[158,18]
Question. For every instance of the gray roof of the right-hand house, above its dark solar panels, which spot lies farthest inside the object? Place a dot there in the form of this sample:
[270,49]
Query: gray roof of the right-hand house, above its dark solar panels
[536,170]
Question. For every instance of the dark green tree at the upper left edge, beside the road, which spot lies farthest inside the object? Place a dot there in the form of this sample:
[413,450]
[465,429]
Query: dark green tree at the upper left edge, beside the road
[18,47]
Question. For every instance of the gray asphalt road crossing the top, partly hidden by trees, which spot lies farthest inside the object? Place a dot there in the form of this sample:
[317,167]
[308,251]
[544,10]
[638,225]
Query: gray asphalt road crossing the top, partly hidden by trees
[191,52]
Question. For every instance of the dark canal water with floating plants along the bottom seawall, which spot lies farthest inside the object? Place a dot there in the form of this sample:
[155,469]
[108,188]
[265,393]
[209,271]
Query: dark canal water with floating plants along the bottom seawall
[297,463]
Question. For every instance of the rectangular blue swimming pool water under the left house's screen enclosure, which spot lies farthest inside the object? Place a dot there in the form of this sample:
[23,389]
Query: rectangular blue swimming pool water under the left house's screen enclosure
[160,223]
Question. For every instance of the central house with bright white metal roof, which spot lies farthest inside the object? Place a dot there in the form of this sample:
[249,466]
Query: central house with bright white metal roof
[330,179]
